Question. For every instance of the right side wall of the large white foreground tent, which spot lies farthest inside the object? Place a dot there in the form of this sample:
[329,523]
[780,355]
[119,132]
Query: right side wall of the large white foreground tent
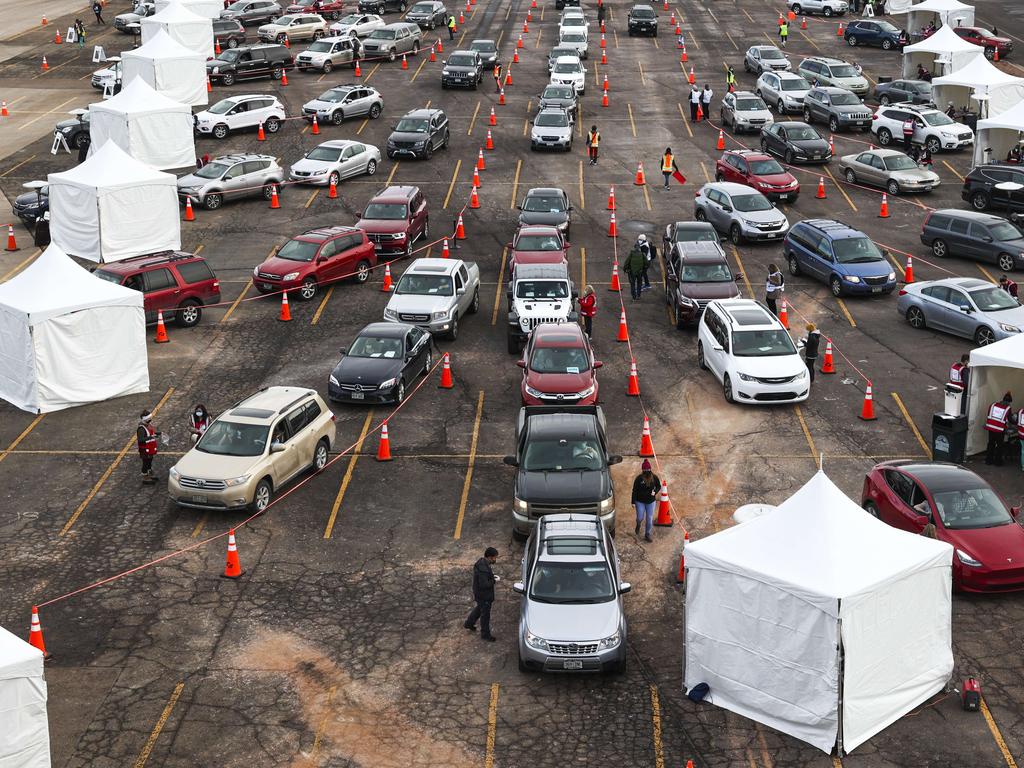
[898,644]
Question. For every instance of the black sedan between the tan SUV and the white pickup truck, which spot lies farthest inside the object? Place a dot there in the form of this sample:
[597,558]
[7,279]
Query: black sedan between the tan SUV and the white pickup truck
[381,364]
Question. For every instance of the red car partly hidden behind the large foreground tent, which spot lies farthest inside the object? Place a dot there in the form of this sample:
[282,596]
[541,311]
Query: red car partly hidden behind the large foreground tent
[967,515]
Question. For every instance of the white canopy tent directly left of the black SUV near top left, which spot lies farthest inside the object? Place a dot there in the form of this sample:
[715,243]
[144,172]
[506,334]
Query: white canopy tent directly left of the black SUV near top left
[169,68]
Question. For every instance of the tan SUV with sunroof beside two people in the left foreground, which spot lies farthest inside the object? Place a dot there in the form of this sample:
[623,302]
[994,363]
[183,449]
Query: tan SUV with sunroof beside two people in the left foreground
[253,450]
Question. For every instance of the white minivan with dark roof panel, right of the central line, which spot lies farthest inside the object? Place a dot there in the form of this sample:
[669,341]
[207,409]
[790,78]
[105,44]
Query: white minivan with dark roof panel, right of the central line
[751,354]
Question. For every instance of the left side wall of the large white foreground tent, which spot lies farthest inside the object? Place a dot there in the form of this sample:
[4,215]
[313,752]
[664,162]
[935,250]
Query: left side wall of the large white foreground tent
[774,661]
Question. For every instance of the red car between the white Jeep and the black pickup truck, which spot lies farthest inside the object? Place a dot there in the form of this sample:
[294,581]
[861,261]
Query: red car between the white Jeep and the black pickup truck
[559,367]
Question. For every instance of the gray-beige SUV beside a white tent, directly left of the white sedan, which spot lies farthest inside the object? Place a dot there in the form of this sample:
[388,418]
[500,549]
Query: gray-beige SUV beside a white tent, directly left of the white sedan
[232,177]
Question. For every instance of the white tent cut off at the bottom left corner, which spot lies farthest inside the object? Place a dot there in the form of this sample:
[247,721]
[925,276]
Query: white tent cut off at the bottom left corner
[25,739]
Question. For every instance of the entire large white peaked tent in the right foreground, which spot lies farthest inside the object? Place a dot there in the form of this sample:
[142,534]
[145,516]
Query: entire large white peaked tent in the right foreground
[769,604]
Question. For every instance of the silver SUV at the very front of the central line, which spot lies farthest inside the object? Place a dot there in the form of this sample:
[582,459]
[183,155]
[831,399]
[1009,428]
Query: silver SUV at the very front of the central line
[572,618]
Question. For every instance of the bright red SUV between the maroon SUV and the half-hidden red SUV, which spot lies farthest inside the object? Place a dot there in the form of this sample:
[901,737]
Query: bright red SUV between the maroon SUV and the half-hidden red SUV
[316,259]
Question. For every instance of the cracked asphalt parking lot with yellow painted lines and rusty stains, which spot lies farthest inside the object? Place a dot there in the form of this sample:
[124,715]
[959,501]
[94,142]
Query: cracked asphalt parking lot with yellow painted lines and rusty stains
[343,645]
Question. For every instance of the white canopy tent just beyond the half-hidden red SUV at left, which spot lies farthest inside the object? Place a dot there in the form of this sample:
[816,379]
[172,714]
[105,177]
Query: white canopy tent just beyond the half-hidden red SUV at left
[113,207]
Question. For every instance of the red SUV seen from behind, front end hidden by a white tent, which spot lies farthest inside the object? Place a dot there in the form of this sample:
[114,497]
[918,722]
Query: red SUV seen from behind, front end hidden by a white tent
[176,283]
